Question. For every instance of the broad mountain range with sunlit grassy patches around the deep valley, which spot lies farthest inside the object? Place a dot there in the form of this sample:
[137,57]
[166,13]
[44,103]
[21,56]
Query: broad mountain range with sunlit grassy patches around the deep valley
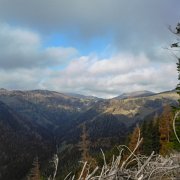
[62,120]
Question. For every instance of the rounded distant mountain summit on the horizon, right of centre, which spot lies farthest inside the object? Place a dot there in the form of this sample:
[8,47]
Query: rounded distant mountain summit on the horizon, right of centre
[134,94]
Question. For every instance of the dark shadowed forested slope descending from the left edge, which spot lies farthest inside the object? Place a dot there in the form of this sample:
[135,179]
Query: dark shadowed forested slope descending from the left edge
[20,142]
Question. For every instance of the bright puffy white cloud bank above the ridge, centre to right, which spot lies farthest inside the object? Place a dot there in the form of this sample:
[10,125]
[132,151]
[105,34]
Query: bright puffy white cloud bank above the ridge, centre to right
[121,73]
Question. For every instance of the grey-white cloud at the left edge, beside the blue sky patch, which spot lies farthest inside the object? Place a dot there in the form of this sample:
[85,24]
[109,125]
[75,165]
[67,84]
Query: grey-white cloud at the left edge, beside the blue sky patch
[21,48]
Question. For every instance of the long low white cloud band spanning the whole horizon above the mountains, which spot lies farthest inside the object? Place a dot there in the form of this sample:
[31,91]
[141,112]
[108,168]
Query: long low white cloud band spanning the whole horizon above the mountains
[118,74]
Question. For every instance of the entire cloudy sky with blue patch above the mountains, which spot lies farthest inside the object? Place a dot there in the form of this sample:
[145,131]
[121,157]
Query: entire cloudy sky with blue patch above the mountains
[92,47]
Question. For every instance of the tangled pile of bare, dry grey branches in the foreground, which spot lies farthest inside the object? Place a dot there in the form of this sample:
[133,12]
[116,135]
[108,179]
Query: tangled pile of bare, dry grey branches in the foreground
[134,167]
